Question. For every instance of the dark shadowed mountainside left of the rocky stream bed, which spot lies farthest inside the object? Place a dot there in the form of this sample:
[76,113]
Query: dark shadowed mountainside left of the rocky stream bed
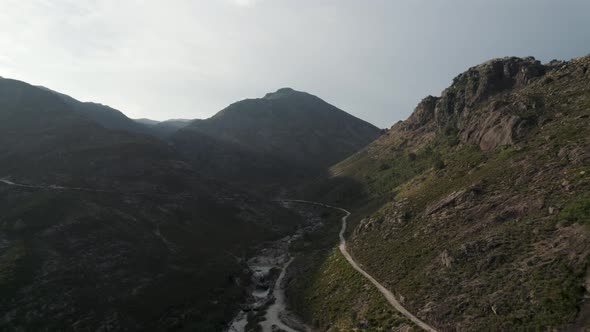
[110,229]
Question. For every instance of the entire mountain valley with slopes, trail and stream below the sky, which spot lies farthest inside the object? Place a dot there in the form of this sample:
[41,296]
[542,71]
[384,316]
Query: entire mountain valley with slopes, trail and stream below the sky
[472,214]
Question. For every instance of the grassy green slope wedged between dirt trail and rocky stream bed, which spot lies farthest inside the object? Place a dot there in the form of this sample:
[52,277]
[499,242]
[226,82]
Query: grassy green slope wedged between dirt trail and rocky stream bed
[328,293]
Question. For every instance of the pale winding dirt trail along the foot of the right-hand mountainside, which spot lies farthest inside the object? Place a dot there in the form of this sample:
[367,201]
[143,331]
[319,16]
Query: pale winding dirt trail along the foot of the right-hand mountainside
[386,293]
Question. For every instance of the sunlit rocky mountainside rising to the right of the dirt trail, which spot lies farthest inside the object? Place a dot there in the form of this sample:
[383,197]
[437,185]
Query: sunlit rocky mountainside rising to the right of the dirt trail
[475,211]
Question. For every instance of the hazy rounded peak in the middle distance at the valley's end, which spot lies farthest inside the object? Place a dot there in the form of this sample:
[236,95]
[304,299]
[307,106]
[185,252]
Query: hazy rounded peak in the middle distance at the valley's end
[283,133]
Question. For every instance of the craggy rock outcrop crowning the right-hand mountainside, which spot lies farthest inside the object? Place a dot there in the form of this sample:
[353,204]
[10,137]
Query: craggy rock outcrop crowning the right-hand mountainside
[461,107]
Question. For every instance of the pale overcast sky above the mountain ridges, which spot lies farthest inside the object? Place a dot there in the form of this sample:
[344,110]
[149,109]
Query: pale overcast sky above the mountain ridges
[375,59]
